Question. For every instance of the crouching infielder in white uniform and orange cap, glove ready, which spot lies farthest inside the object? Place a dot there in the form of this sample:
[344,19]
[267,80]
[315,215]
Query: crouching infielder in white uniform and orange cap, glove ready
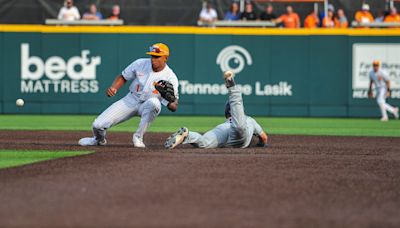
[153,84]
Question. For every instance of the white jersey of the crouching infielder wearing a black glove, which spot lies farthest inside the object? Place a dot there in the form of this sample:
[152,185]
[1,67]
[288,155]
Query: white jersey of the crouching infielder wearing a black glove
[143,76]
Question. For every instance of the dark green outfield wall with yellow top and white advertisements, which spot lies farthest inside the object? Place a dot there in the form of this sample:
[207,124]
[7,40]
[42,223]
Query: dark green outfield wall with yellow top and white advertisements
[282,72]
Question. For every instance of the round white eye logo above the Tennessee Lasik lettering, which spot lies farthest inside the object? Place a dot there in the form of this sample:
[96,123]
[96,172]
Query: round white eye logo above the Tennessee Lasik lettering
[234,58]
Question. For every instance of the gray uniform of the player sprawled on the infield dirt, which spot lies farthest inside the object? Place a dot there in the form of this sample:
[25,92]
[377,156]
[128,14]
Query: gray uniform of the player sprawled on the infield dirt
[237,131]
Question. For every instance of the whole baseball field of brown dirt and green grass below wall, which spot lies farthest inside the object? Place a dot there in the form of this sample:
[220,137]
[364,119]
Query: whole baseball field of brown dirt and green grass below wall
[317,172]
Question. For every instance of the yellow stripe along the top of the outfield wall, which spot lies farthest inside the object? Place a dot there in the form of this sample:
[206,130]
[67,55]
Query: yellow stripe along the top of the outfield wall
[197,30]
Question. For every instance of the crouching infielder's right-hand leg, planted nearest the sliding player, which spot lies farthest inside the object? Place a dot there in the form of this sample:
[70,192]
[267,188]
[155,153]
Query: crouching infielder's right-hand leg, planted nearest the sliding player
[148,111]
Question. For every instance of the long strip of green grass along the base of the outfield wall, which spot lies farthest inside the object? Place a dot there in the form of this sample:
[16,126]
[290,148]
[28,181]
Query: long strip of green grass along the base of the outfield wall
[302,126]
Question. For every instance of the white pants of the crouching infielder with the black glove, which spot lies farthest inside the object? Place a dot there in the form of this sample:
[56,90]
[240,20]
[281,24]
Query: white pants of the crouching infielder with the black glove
[124,109]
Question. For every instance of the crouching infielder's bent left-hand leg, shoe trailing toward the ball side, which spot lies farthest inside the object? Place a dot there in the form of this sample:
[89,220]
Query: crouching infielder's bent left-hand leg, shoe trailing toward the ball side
[118,112]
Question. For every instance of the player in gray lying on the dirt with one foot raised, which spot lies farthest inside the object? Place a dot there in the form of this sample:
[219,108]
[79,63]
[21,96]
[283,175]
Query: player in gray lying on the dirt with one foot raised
[236,131]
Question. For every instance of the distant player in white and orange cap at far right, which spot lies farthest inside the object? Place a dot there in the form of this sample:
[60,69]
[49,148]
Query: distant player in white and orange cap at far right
[382,86]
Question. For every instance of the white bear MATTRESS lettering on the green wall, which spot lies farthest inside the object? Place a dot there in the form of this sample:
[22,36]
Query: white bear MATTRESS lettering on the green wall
[45,76]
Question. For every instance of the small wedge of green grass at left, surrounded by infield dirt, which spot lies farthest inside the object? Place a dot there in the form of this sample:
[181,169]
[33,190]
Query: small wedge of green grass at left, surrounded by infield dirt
[12,158]
